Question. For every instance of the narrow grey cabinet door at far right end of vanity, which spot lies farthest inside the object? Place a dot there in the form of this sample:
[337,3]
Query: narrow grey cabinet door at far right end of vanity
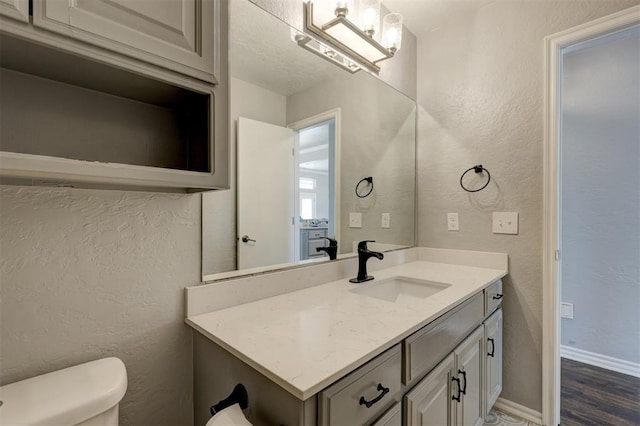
[493,359]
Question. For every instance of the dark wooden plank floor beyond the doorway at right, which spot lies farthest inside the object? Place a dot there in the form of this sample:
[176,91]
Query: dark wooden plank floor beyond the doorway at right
[595,396]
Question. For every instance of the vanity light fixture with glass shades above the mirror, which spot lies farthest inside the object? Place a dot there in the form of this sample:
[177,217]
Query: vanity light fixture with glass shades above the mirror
[351,28]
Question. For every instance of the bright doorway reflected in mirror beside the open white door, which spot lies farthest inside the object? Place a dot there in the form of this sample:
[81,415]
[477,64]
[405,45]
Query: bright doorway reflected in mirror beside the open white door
[316,187]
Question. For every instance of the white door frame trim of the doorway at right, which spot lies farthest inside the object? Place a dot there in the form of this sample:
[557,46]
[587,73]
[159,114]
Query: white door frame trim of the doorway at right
[551,250]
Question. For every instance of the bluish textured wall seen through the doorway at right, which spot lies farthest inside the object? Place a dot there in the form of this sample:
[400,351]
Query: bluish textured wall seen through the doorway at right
[601,196]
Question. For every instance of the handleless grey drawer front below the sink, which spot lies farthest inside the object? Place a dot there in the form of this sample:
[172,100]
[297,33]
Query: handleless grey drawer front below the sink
[424,349]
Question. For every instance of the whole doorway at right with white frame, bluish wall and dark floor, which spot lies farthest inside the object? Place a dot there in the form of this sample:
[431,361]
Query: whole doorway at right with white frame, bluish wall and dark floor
[592,226]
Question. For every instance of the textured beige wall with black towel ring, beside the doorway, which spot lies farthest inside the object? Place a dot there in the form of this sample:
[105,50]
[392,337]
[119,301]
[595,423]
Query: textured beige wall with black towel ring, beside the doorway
[480,91]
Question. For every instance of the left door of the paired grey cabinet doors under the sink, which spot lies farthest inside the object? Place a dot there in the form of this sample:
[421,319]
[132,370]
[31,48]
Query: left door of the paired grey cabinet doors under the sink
[429,402]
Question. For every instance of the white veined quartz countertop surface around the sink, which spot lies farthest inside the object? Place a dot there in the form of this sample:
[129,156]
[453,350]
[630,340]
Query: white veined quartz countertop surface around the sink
[307,339]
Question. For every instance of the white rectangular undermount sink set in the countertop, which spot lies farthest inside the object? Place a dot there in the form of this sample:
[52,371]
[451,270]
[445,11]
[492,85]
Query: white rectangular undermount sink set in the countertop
[398,289]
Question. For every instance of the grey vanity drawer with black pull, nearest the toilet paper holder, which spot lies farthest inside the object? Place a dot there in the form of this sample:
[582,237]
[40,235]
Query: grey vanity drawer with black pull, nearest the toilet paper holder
[343,402]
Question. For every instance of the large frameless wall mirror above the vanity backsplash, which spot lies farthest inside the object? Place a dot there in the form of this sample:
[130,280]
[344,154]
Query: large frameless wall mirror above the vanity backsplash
[305,134]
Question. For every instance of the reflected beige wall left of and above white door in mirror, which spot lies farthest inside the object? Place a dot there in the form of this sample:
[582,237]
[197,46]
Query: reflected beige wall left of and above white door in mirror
[219,207]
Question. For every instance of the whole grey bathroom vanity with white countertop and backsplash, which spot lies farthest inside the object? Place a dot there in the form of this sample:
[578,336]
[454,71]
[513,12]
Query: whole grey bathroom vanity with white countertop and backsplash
[421,344]
